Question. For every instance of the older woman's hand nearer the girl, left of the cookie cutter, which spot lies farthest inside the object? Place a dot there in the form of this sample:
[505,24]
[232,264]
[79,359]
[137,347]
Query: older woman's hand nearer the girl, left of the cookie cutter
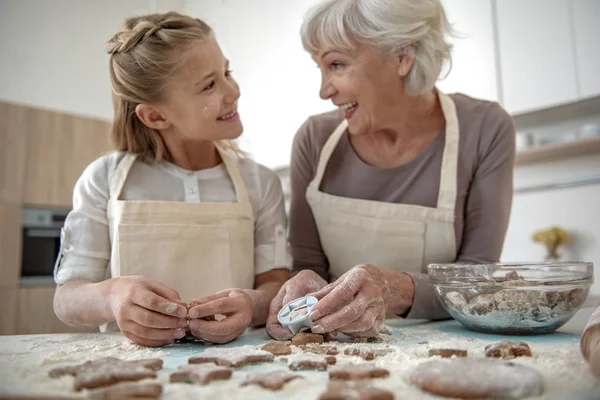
[304,282]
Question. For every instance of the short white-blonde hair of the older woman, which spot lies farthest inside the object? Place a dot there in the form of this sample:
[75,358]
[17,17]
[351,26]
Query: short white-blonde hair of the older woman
[417,28]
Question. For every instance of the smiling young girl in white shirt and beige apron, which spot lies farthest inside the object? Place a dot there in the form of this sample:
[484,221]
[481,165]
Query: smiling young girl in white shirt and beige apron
[176,226]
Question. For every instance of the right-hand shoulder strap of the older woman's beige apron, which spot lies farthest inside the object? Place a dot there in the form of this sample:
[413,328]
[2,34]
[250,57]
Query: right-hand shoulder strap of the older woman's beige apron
[448,179]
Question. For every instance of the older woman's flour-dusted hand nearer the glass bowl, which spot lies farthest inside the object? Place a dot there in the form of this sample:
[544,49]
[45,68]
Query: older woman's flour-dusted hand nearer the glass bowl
[355,304]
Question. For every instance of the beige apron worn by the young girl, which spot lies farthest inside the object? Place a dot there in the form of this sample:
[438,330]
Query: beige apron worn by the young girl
[195,248]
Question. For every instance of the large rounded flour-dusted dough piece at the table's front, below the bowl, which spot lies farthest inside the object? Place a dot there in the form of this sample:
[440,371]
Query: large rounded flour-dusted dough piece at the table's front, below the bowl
[468,378]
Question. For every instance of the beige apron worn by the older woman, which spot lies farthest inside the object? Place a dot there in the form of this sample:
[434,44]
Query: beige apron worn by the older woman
[402,237]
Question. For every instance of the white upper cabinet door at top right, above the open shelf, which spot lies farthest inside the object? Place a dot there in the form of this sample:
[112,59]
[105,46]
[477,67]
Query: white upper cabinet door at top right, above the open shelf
[537,61]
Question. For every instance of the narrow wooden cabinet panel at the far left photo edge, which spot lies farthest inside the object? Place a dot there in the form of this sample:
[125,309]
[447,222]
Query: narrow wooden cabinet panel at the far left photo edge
[13,121]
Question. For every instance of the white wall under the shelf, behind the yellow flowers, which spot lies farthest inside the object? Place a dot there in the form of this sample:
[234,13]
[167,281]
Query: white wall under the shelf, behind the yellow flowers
[577,209]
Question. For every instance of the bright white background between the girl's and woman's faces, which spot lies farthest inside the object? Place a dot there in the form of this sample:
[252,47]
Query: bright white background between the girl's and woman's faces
[279,81]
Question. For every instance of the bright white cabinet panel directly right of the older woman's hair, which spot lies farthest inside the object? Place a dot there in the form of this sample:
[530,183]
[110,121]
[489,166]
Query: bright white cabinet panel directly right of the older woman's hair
[474,71]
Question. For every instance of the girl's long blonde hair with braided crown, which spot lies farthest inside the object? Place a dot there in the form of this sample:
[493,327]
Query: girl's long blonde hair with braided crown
[144,53]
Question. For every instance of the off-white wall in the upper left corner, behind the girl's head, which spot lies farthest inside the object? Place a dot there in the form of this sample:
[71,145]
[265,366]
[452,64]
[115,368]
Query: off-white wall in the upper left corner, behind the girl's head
[52,52]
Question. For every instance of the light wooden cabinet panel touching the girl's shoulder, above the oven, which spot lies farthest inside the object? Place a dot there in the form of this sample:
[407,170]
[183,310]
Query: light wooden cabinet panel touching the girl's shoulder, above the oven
[59,148]
